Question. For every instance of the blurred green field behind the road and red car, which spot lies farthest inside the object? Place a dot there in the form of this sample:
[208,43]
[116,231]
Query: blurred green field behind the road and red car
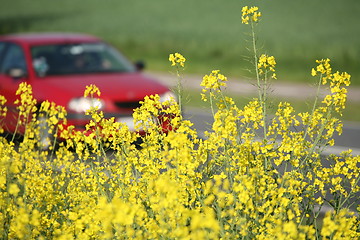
[208,33]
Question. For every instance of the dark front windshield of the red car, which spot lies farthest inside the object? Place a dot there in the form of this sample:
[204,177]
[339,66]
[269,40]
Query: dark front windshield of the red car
[63,59]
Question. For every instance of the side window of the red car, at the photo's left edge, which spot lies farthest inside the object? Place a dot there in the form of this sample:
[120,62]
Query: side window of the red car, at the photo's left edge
[14,58]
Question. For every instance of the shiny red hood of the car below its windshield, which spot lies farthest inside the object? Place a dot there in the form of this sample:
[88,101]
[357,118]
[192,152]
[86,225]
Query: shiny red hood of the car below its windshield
[124,87]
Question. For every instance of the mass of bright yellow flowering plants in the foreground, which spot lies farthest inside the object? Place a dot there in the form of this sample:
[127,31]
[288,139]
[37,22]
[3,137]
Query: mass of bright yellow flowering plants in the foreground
[235,184]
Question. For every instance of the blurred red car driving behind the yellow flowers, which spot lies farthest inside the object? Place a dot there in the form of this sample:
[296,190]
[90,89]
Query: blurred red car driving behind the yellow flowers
[60,65]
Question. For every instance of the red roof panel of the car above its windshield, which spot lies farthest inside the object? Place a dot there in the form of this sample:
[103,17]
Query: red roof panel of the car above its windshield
[48,38]
